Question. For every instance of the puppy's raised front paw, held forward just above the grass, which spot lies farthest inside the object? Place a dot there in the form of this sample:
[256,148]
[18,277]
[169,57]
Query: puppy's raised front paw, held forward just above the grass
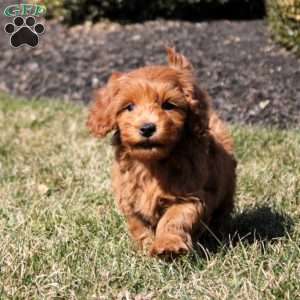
[168,245]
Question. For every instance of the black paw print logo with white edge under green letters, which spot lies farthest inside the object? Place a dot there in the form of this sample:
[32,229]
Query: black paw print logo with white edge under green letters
[24,31]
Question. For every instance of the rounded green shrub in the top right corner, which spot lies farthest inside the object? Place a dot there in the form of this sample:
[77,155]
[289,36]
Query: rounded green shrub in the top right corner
[284,20]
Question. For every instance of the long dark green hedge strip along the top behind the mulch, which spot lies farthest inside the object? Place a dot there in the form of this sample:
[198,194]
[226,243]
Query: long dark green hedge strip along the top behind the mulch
[76,11]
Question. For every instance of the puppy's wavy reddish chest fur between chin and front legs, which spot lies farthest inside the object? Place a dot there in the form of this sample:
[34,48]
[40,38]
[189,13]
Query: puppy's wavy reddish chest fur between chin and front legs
[146,194]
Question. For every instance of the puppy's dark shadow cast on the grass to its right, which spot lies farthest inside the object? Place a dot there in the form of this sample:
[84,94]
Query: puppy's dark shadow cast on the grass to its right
[262,224]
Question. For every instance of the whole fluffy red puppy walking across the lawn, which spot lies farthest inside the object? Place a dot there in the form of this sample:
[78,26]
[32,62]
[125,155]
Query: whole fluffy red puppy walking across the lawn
[174,168]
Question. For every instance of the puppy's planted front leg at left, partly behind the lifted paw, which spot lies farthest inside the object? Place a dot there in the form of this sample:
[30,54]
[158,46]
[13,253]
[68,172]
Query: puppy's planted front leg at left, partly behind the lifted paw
[141,233]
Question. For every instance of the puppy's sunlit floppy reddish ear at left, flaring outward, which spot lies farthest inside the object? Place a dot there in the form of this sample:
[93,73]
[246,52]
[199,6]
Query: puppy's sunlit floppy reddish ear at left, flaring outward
[102,116]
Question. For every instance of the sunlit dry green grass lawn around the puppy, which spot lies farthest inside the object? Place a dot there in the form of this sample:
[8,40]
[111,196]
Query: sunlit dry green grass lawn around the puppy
[62,237]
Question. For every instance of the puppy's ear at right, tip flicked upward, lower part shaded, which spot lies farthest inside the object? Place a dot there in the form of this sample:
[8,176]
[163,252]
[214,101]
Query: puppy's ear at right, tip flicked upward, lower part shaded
[198,100]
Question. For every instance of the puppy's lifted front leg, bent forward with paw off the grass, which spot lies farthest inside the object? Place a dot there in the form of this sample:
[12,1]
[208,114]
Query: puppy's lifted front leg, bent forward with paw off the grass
[174,230]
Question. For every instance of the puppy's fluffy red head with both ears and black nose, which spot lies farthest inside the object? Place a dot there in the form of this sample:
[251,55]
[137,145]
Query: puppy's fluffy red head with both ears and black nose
[150,108]
